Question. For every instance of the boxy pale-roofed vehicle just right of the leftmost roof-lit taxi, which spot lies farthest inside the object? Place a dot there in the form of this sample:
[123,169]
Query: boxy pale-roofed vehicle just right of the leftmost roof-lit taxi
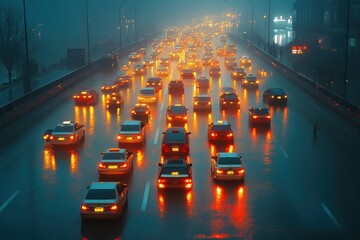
[132,131]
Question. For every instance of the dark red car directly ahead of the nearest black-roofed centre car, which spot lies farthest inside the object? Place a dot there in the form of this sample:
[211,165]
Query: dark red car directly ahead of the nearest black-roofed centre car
[175,142]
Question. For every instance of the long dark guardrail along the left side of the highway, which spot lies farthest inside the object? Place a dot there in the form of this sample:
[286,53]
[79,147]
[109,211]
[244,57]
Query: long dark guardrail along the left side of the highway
[23,105]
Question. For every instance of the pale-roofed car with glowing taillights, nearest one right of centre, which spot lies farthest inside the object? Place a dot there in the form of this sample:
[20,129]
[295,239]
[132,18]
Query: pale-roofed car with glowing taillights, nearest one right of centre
[227,166]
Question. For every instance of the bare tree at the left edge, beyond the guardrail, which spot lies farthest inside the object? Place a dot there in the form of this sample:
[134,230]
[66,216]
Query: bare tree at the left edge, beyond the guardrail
[11,38]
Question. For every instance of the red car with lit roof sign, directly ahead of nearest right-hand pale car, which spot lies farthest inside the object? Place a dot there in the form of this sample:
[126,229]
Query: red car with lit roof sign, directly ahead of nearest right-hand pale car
[220,131]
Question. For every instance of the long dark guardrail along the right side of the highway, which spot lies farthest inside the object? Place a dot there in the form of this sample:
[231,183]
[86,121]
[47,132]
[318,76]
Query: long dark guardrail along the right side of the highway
[348,111]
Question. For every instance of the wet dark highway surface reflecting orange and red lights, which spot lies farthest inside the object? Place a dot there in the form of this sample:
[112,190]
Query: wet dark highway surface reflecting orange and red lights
[297,186]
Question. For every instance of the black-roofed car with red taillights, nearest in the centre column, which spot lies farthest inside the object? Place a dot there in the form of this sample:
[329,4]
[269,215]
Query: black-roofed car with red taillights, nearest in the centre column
[174,174]
